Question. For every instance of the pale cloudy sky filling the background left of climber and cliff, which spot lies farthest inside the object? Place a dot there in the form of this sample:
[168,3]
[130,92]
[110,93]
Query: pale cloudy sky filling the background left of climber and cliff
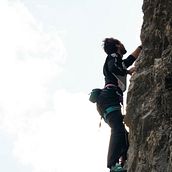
[50,59]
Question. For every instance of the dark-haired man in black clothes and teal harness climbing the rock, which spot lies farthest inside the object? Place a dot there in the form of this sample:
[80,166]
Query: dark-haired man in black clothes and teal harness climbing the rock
[110,99]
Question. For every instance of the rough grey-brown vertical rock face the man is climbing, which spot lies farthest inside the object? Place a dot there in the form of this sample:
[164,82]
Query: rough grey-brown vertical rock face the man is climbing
[149,100]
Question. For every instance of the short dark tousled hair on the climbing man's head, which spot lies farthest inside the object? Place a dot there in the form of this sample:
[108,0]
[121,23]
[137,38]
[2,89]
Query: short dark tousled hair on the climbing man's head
[109,45]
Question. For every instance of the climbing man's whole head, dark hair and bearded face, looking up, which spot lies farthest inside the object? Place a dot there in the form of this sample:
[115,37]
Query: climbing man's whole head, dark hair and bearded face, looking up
[112,45]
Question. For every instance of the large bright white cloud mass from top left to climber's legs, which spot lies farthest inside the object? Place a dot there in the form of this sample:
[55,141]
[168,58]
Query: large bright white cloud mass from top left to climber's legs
[53,131]
